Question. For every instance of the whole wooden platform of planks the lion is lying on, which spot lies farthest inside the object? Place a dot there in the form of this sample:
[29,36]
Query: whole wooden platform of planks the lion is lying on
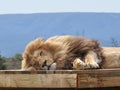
[60,79]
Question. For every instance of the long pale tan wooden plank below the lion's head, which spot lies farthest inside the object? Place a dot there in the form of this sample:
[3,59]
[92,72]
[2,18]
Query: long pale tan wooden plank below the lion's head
[38,80]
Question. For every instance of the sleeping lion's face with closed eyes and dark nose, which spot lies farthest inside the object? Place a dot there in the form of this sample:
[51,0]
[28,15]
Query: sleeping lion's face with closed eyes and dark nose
[42,59]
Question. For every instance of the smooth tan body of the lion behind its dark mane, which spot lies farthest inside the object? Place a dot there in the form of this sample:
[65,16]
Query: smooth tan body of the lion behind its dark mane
[112,57]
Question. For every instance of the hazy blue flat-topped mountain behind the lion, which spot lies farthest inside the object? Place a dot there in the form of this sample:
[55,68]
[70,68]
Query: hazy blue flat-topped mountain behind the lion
[16,30]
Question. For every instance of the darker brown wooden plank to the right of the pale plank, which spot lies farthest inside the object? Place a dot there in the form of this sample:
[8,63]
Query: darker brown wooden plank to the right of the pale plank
[99,78]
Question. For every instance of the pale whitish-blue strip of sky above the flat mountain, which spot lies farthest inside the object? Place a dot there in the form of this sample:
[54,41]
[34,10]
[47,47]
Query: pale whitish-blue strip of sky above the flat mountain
[46,6]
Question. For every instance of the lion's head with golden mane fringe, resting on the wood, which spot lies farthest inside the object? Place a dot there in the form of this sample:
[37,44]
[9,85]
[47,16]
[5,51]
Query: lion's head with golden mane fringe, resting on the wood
[37,55]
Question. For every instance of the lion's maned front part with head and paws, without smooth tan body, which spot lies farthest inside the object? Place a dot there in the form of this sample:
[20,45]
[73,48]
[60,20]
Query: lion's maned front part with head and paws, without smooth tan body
[62,53]
